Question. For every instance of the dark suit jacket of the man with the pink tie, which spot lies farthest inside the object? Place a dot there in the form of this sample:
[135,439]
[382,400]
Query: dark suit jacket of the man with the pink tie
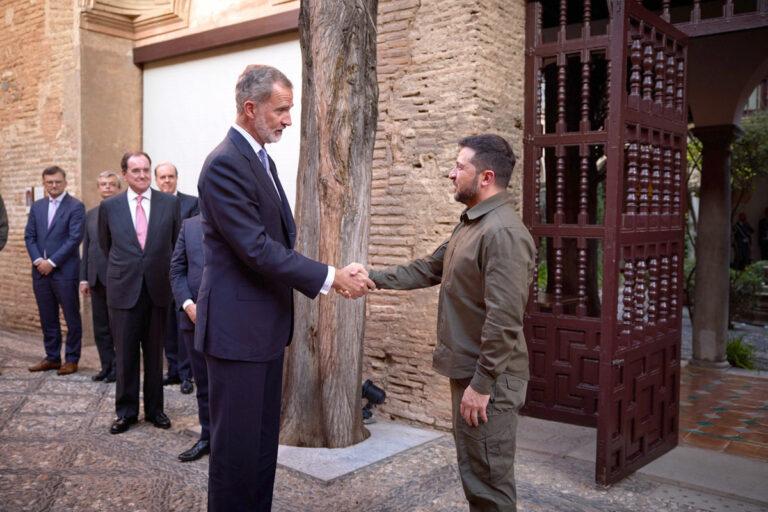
[127,264]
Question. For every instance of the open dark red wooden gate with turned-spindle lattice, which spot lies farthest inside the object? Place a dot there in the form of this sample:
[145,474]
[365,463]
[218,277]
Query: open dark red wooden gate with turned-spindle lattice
[604,192]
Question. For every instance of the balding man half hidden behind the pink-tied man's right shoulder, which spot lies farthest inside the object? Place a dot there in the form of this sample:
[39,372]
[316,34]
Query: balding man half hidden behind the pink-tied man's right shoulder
[179,371]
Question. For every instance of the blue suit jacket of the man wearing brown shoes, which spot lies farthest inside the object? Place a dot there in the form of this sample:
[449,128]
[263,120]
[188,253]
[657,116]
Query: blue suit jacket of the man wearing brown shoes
[60,243]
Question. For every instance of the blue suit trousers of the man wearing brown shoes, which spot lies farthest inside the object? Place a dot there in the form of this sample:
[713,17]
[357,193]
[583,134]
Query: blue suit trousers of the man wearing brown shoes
[50,294]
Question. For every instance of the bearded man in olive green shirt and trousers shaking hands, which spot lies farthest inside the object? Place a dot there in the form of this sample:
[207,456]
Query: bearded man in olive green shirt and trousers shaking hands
[485,269]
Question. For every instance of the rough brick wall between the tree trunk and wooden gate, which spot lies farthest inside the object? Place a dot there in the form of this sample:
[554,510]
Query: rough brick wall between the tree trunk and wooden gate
[447,69]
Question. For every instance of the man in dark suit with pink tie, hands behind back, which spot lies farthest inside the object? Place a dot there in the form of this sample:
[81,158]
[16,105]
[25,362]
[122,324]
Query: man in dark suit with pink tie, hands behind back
[137,232]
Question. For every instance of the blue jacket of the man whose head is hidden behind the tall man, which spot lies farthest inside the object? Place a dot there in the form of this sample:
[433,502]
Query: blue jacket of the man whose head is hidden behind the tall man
[187,266]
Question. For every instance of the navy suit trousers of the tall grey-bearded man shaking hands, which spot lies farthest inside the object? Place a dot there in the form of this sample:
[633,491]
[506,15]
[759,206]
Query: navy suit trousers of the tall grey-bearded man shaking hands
[245,427]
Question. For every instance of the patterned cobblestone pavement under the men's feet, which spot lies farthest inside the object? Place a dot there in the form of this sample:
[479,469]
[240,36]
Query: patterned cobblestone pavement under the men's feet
[56,455]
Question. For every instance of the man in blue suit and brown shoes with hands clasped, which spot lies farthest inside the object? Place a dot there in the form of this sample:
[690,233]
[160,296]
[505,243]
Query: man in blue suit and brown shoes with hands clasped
[53,234]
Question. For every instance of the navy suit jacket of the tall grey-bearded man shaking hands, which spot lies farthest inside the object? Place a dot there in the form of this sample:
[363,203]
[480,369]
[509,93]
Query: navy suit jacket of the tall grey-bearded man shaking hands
[245,304]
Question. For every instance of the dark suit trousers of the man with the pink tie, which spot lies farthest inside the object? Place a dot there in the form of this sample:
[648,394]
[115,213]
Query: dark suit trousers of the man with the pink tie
[139,331]
